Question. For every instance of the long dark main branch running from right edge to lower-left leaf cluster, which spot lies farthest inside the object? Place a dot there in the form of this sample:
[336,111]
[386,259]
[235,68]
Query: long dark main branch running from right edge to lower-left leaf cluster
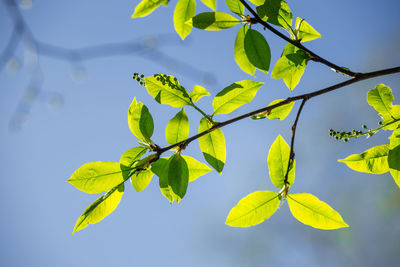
[360,77]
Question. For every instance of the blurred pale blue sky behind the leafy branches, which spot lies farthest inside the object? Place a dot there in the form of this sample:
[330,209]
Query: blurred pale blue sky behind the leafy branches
[70,123]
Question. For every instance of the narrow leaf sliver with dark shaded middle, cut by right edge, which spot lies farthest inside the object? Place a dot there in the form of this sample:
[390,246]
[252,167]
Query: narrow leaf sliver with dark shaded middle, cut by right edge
[394,156]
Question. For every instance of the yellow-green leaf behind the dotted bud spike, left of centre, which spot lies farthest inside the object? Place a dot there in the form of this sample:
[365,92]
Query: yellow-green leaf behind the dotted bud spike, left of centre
[166,90]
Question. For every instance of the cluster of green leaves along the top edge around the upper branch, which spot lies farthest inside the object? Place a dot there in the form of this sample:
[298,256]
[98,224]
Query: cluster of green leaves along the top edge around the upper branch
[251,50]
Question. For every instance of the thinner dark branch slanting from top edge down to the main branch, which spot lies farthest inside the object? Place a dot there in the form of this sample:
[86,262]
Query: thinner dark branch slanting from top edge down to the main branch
[313,55]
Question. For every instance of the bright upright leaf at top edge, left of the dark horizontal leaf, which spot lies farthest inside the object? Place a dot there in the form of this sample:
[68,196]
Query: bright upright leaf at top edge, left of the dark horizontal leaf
[184,10]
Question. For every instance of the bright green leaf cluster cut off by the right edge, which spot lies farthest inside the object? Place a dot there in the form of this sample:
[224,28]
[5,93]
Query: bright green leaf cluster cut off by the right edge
[382,158]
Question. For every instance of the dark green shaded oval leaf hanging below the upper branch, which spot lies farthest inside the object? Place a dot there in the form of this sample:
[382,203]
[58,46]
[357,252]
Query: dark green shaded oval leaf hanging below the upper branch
[257,50]
